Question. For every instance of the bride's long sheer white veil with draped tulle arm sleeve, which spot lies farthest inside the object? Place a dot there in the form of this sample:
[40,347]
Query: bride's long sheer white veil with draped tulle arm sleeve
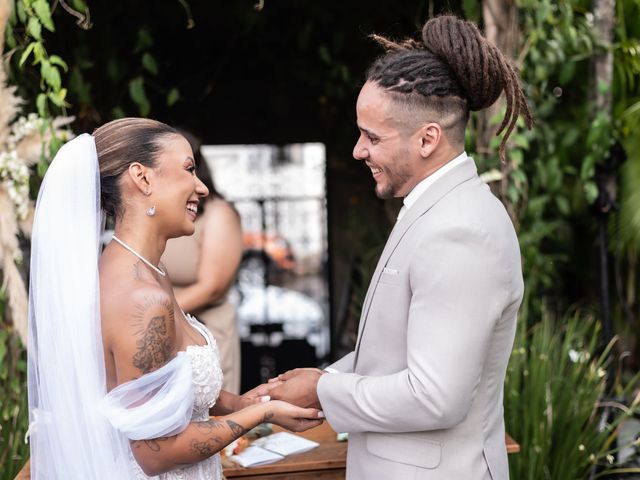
[77,431]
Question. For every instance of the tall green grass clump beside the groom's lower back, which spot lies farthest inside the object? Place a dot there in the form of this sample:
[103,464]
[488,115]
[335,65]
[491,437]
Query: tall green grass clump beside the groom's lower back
[555,405]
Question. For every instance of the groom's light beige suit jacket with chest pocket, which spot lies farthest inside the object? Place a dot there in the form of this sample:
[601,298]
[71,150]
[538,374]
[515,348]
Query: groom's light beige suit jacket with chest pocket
[421,395]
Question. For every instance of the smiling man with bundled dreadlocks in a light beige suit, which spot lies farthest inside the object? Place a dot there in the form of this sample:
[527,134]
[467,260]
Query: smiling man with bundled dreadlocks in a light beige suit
[421,394]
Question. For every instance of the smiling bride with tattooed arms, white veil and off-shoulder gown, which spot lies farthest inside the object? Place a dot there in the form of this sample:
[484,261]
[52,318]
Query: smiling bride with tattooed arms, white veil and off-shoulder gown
[122,382]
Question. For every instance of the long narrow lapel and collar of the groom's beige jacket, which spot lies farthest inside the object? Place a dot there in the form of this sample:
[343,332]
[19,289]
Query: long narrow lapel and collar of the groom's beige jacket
[460,174]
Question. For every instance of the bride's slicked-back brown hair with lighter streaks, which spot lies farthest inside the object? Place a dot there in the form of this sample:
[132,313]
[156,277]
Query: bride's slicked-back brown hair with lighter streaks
[120,143]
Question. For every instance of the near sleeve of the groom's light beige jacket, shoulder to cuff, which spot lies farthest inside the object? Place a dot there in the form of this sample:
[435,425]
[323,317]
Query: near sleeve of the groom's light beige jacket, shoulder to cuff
[459,291]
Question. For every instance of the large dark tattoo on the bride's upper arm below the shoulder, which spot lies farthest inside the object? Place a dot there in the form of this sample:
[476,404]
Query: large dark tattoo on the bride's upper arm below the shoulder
[155,346]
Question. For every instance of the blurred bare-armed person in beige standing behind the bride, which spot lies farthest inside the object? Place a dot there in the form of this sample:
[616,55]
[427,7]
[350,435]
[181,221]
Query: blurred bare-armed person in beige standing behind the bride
[203,268]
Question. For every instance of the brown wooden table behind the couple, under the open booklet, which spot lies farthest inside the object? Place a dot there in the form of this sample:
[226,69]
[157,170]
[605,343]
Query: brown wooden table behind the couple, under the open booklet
[326,462]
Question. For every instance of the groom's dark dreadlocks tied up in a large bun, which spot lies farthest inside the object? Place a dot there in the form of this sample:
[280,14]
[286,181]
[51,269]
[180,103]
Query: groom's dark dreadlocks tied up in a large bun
[453,71]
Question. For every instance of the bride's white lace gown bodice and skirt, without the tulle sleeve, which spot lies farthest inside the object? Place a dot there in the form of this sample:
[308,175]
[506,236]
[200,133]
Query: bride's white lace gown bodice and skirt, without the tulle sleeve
[207,382]
